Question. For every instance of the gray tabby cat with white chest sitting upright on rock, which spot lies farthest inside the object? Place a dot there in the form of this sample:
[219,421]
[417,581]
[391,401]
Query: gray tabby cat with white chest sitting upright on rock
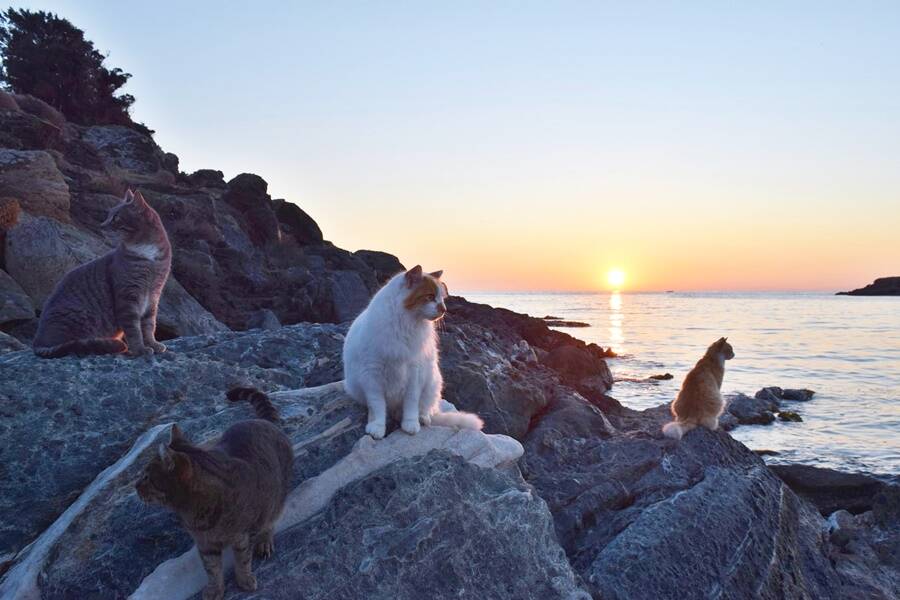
[118,293]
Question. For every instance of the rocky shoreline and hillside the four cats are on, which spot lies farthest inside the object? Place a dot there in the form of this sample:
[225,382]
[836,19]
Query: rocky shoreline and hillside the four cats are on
[566,494]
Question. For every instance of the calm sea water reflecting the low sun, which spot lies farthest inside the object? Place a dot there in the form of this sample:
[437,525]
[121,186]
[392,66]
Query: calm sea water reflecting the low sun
[847,349]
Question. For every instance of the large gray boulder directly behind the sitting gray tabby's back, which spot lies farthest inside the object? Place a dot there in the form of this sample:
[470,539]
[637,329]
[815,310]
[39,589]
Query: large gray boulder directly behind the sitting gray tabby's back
[40,251]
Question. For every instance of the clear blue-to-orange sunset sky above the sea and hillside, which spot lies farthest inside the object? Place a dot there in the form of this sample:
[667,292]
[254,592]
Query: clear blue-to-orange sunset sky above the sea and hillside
[535,146]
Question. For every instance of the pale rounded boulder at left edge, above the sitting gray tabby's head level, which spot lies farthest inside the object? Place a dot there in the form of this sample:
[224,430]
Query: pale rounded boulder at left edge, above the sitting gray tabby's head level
[32,177]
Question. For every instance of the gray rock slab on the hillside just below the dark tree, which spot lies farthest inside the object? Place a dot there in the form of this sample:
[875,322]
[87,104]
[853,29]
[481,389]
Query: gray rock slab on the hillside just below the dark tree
[128,154]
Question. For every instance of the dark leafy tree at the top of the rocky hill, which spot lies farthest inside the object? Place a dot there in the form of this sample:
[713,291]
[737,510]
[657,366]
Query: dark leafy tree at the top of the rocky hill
[48,57]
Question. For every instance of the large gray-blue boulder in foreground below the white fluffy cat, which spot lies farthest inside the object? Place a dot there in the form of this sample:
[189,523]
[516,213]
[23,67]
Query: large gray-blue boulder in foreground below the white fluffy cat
[429,527]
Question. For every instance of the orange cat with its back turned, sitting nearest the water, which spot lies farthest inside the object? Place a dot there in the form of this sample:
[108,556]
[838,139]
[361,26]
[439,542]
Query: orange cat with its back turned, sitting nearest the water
[700,402]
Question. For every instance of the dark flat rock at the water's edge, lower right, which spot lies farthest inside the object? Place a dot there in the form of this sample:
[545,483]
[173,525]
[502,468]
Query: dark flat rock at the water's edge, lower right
[831,490]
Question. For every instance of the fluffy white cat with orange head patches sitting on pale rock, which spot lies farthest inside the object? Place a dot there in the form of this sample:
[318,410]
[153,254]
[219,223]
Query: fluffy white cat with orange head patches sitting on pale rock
[391,356]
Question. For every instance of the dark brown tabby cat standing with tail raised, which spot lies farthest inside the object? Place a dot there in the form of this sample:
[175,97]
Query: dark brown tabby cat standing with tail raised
[228,492]
